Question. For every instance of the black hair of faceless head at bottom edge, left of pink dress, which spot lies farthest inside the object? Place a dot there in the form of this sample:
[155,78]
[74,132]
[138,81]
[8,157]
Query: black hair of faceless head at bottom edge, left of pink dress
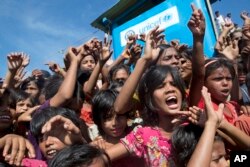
[79,156]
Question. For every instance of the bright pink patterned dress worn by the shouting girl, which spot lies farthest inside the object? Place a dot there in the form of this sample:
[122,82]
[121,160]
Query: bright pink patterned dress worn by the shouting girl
[148,143]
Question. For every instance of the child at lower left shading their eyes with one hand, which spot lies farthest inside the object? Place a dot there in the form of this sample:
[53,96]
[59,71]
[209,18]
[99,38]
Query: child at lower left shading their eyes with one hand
[55,128]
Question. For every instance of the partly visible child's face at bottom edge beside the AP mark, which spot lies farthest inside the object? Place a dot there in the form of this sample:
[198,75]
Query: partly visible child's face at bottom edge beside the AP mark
[218,155]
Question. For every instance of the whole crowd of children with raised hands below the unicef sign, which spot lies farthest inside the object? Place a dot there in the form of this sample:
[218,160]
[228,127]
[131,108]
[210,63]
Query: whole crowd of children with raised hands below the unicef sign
[176,108]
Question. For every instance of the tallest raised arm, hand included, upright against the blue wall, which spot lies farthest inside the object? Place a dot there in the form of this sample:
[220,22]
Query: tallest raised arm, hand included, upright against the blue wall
[196,25]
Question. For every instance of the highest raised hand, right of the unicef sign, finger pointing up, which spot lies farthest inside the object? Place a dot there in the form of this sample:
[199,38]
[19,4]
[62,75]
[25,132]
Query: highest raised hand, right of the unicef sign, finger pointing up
[196,23]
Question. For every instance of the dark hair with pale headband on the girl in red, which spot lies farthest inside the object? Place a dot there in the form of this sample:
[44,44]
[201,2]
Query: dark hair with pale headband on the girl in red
[215,63]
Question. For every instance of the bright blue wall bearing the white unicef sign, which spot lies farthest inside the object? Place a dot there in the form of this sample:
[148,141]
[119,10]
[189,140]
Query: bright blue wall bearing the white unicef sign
[172,15]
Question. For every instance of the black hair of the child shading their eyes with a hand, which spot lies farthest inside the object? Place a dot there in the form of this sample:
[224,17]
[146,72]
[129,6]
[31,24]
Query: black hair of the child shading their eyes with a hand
[41,117]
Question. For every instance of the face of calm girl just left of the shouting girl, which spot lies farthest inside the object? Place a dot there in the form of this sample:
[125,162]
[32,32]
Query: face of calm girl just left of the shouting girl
[115,126]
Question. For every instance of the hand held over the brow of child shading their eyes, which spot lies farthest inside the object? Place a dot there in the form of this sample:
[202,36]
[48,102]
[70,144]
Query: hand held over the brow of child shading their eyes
[66,129]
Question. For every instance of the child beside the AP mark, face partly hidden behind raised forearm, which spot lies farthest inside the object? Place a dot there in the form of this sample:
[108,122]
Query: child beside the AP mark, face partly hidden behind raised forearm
[194,146]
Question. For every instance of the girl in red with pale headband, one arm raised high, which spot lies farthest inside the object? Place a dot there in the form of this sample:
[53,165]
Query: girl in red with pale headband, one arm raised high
[216,74]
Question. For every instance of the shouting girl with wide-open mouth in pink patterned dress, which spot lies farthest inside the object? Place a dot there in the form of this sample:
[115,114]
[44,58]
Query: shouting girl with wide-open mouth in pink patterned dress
[162,92]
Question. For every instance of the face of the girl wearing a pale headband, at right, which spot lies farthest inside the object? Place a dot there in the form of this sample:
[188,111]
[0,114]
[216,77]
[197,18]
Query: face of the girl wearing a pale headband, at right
[219,84]
